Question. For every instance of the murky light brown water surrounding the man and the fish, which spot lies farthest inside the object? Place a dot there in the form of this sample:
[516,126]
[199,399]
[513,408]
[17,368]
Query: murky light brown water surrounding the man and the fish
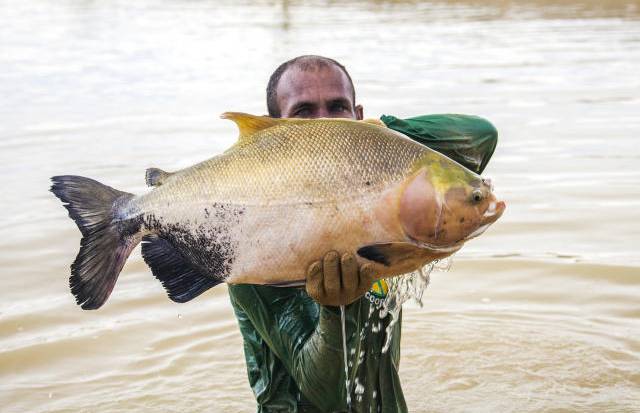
[542,313]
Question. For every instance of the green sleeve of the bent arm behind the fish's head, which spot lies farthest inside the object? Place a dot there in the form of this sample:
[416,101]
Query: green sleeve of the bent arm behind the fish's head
[469,140]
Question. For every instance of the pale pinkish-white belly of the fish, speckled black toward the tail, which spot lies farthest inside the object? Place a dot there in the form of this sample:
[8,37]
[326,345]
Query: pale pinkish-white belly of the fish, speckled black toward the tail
[272,243]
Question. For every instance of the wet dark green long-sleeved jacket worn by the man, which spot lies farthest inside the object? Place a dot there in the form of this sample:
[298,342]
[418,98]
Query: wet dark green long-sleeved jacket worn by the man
[293,345]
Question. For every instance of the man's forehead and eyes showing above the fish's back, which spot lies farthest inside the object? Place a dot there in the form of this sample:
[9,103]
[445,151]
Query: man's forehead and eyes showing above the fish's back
[319,92]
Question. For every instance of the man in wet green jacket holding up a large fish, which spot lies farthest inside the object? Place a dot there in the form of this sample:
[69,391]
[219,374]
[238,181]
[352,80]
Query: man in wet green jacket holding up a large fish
[293,337]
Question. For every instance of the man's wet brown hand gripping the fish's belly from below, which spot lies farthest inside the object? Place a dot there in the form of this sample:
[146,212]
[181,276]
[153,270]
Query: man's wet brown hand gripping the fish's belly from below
[337,280]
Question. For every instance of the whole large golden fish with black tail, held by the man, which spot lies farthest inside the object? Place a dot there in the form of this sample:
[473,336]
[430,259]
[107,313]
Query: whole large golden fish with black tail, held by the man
[286,193]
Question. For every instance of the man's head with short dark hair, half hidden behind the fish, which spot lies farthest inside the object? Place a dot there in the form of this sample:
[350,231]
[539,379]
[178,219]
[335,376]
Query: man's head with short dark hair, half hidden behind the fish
[312,87]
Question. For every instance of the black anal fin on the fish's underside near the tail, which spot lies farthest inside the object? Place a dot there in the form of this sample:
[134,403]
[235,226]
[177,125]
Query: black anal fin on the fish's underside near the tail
[181,281]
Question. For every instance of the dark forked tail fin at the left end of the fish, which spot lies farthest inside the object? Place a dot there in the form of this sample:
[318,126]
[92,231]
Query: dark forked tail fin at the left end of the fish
[106,242]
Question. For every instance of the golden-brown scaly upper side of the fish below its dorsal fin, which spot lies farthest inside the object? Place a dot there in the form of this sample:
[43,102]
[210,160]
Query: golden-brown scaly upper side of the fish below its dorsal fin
[295,164]
